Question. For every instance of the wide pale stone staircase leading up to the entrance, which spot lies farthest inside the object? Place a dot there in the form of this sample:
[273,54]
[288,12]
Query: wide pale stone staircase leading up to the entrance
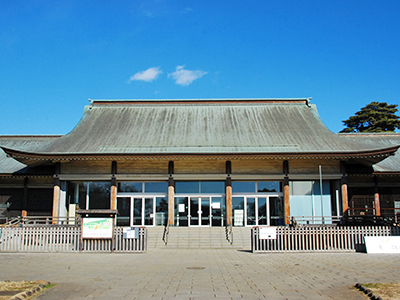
[198,237]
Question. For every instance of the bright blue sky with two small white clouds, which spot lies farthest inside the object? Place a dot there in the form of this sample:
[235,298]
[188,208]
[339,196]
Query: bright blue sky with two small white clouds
[55,55]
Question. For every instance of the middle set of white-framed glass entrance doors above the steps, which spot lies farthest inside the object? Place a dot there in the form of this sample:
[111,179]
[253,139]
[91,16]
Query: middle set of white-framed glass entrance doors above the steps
[199,211]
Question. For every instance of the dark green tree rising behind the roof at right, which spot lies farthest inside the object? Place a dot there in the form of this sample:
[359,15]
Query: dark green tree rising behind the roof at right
[375,117]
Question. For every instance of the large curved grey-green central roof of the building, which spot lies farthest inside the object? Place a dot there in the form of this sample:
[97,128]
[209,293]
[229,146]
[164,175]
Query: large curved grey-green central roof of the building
[212,126]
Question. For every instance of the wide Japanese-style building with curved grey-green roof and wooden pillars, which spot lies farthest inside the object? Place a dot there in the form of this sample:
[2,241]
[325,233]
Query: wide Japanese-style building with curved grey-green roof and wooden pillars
[210,162]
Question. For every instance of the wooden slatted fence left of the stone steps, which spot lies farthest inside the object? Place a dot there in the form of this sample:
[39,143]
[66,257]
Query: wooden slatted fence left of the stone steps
[58,238]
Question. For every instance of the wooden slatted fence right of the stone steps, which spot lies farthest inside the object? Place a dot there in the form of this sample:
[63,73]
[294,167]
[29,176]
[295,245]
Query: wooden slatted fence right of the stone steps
[321,238]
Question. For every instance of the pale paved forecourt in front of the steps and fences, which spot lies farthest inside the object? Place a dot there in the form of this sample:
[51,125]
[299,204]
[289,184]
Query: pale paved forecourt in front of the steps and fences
[201,274]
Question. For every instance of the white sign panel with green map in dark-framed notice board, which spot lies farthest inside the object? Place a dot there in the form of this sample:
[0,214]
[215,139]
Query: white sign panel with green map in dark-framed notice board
[100,228]
